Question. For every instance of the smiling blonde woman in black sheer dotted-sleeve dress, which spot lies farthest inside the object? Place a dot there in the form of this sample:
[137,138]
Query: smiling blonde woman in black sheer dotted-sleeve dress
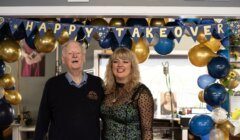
[127,110]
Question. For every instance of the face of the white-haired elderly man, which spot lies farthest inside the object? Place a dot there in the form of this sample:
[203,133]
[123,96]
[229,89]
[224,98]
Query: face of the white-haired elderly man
[73,58]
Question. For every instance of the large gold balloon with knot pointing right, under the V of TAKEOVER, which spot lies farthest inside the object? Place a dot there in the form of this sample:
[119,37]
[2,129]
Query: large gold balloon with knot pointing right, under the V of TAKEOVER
[200,55]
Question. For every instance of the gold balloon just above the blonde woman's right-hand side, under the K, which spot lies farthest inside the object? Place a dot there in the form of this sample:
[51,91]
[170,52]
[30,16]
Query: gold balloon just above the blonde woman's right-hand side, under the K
[141,50]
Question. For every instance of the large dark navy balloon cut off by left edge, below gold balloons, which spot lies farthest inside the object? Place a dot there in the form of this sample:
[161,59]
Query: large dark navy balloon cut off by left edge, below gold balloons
[6,113]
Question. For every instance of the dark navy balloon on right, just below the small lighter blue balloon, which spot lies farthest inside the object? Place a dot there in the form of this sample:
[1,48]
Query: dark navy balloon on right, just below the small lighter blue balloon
[215,94]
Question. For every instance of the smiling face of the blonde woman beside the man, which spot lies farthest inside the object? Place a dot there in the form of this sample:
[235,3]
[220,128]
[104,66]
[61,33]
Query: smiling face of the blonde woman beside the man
[121,69]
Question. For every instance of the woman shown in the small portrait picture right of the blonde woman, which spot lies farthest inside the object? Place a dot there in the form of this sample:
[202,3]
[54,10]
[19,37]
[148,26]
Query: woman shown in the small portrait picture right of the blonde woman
[166,104]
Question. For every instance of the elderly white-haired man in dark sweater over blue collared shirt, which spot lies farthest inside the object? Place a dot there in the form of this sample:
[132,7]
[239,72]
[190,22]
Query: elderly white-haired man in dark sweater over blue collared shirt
[70,104]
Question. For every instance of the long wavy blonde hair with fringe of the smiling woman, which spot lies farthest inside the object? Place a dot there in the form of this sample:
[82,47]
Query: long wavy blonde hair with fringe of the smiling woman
[134,77]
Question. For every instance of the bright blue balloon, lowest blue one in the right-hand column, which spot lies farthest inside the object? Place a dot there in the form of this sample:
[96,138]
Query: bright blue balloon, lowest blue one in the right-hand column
[201,125]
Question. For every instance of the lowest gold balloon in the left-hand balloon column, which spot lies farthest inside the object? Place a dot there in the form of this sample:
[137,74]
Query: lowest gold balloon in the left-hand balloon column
[12,96]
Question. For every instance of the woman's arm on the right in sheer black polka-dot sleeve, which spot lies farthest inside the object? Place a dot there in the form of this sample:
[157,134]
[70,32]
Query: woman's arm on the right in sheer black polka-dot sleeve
[146,109]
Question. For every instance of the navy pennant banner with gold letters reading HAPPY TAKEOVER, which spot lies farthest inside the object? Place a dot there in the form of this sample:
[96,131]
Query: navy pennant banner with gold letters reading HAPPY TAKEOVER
[136,32]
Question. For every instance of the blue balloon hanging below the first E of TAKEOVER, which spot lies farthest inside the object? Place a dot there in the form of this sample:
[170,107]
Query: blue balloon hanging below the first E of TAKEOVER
[164,46]
